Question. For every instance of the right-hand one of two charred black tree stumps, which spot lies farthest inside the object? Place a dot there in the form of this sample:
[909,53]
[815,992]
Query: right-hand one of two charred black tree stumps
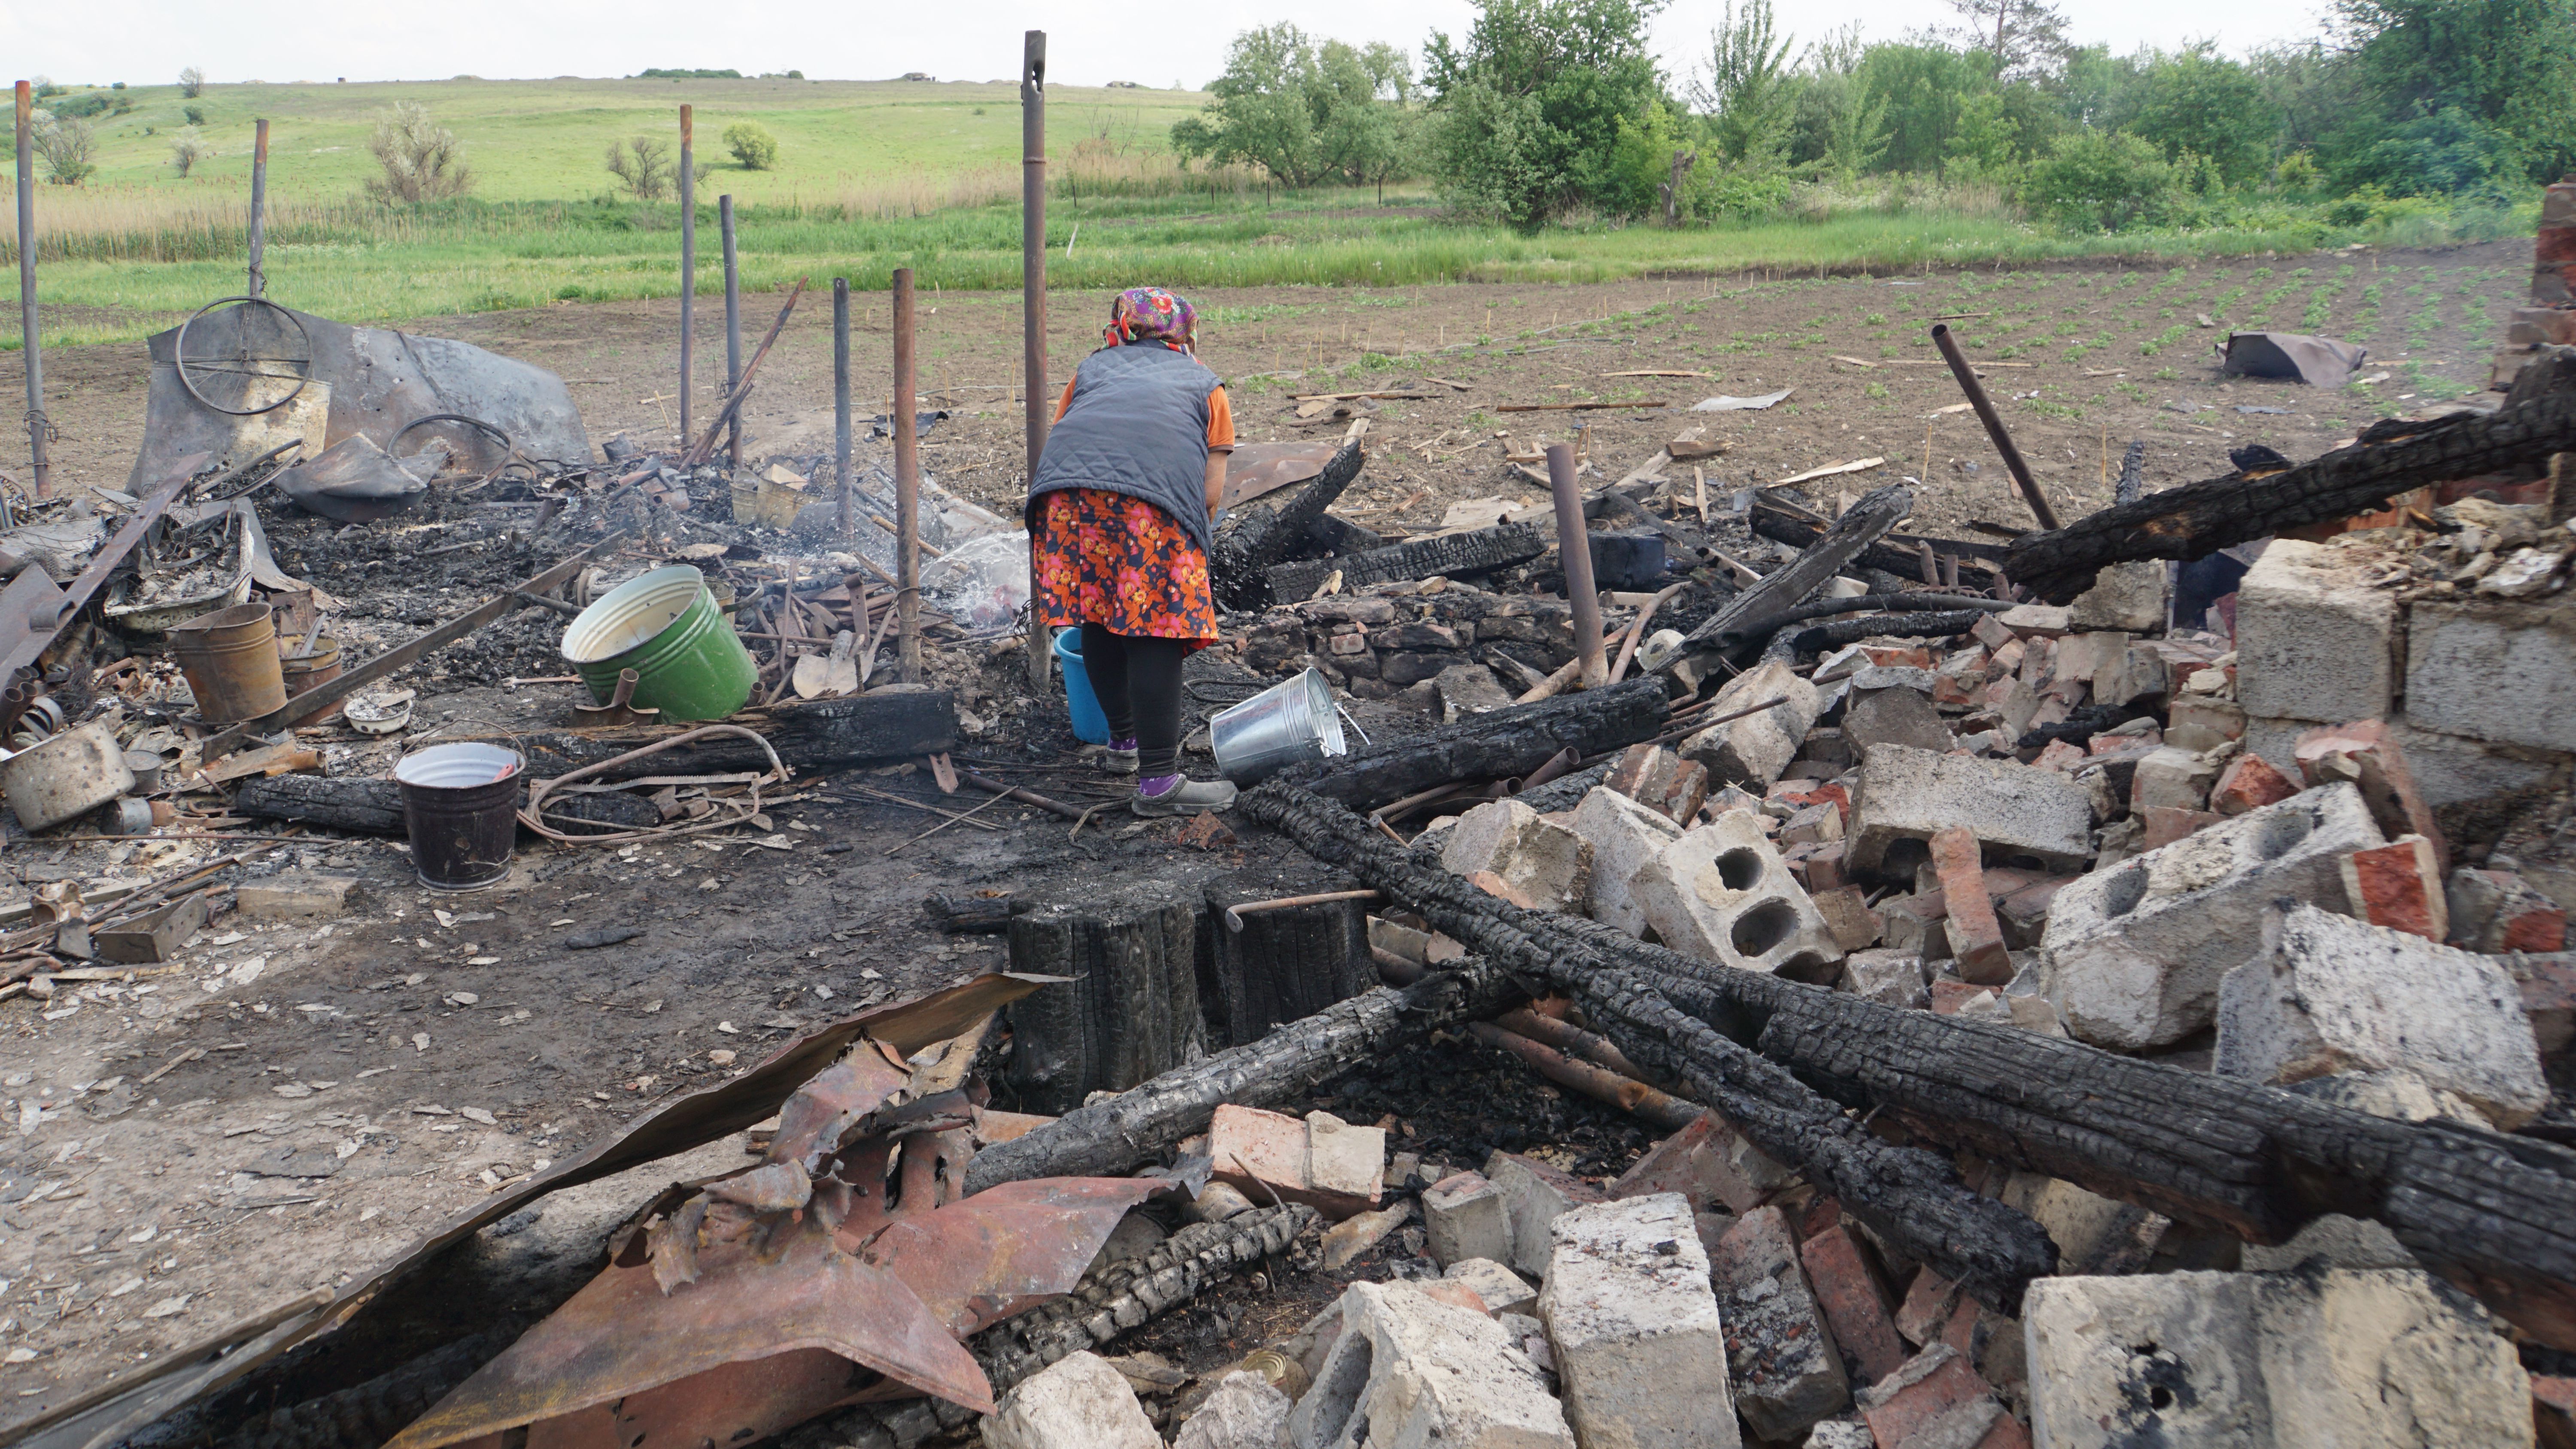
[1287,964]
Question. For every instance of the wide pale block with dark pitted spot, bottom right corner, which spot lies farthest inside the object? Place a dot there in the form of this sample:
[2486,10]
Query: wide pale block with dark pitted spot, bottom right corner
[2268,1360]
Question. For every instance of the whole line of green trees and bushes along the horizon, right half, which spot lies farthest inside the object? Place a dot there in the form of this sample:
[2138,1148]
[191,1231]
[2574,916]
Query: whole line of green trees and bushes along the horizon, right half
[1557,107]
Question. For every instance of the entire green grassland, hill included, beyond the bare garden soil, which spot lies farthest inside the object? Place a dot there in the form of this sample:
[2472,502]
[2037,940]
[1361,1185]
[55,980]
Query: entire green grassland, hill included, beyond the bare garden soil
[877,176]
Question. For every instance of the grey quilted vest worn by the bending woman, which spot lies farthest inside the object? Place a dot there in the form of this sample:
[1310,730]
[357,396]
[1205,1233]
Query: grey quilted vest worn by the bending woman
[1140,429]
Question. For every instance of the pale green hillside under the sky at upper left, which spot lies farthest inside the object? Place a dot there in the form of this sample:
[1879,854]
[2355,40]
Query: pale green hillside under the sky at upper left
[542,140]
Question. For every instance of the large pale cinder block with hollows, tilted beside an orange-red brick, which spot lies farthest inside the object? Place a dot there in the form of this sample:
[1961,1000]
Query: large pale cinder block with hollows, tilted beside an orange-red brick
[2134,954]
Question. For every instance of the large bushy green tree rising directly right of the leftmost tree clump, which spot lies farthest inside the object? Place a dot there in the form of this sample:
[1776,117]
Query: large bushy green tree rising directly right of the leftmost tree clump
[1531,104]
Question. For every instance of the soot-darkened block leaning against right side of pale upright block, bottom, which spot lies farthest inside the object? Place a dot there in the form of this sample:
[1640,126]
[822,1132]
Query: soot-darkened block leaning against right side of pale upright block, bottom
[1779,1350]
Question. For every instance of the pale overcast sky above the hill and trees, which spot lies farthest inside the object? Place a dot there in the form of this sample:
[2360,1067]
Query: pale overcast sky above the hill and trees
[1091,42]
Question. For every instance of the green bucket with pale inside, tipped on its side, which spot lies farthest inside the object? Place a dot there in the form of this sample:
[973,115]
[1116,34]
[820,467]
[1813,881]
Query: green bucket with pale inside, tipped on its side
[668,629]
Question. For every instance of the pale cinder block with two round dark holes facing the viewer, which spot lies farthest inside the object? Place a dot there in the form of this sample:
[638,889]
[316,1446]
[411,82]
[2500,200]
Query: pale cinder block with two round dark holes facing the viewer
[1725,894]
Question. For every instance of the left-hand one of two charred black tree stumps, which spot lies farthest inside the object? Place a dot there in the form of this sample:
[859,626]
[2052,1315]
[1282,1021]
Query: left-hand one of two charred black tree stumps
[1130,1013]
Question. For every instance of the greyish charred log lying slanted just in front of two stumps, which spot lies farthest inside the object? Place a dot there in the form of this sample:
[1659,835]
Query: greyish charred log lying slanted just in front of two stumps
[1155,1118]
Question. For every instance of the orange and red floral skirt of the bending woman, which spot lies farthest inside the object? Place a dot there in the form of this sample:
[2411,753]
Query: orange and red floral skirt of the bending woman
[1124,565]
